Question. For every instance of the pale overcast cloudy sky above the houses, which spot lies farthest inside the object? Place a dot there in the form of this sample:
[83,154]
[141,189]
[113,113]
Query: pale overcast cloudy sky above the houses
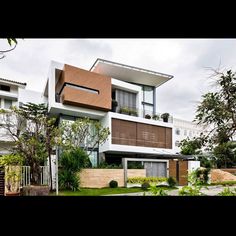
[188,60]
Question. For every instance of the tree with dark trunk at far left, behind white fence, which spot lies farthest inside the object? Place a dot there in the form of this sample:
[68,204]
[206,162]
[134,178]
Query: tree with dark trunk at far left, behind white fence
[32,133]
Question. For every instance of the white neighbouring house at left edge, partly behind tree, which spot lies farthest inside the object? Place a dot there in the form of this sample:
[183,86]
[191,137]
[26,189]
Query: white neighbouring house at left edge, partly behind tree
[13,93]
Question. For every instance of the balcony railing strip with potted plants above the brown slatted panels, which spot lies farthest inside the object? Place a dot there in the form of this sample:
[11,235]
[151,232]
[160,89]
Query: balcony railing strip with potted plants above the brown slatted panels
[144,114]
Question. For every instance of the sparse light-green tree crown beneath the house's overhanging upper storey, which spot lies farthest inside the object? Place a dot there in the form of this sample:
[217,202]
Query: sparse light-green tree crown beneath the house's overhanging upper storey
[83,133]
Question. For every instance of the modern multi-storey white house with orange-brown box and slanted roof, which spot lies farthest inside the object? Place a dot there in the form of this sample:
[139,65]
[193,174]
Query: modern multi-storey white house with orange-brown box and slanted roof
[137,131]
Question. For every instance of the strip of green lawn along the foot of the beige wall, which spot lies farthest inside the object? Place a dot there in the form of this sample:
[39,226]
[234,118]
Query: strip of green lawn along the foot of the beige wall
[99,192]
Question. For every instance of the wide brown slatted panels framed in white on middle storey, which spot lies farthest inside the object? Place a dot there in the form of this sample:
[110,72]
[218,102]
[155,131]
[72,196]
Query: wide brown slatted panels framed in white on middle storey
[139,134]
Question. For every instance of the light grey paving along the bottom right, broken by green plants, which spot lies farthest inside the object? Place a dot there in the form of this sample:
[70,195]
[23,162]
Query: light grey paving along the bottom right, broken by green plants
[209,191]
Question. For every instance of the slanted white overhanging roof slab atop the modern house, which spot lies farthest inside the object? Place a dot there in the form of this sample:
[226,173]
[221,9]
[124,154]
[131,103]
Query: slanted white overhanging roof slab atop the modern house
[130,74]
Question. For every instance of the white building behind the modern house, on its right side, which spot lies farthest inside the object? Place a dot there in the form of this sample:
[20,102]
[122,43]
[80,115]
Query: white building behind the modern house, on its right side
[185,129]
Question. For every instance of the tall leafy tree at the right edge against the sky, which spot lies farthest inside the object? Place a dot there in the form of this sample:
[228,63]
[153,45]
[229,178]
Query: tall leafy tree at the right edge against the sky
[217,110]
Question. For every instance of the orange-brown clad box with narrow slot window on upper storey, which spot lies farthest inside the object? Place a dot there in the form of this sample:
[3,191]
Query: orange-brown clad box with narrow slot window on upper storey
[87,79]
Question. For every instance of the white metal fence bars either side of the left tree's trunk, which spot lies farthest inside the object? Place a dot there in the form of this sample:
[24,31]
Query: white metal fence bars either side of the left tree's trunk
[44,176]
